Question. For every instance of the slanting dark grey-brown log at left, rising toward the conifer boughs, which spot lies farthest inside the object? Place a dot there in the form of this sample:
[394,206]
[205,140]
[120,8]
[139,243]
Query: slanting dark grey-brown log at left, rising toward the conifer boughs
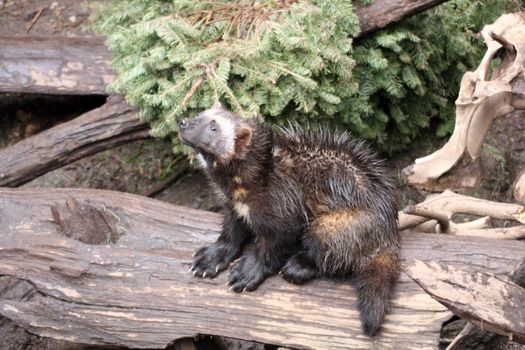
[112,124]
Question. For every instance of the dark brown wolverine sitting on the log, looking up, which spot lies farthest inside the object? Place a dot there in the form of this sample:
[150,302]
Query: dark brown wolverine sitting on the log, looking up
[315,204]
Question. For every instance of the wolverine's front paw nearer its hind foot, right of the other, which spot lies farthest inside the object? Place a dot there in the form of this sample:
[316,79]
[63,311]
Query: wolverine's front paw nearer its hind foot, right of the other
[246,274]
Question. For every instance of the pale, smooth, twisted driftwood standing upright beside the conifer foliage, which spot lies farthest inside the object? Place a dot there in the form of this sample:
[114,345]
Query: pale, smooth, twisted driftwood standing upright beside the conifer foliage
[481,100]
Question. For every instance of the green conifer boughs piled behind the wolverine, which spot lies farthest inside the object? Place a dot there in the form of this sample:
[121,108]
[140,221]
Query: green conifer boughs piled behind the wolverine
[294,60]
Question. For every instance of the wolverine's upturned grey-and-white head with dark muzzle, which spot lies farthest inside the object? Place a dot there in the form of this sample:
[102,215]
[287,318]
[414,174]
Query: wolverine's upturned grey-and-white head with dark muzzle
[216,133]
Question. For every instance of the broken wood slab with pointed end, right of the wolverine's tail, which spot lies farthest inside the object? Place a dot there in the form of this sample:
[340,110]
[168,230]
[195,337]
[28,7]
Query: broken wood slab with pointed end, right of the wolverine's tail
[485,300]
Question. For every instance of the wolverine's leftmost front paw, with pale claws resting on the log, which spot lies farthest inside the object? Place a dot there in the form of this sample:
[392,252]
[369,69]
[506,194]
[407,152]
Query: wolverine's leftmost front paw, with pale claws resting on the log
[210,260]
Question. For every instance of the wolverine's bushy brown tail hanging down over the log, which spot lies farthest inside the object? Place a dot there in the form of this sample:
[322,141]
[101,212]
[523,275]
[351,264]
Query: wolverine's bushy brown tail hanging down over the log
[374,286]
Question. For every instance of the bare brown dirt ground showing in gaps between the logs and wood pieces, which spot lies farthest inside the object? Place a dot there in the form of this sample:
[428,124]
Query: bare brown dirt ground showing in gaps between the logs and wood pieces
[138,166]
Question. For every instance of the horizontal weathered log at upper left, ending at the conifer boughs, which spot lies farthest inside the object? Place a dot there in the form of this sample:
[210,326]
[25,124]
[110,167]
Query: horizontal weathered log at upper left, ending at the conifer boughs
[55,65]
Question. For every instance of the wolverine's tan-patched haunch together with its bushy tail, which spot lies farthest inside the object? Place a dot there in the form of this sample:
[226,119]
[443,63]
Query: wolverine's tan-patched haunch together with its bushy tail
[354,242]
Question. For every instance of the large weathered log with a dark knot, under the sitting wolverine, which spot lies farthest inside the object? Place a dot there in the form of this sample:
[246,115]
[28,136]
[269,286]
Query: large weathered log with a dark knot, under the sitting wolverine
[128,284]
